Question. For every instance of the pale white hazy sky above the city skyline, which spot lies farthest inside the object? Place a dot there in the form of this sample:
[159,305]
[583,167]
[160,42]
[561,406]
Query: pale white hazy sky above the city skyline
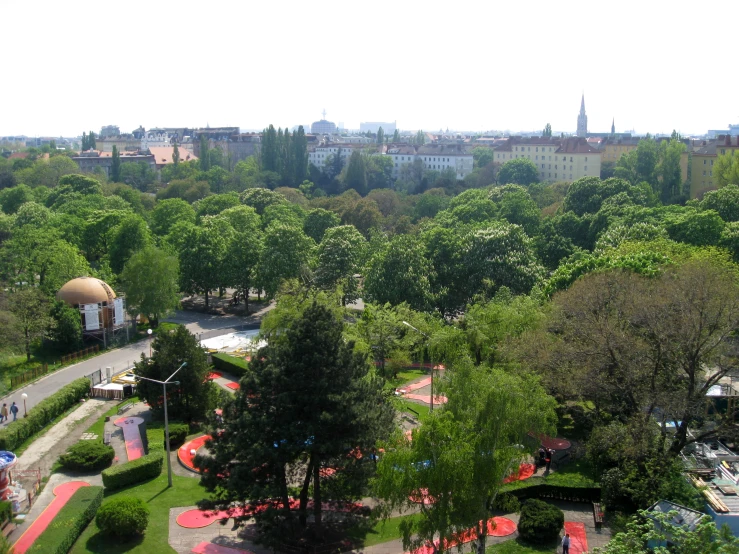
[653,65]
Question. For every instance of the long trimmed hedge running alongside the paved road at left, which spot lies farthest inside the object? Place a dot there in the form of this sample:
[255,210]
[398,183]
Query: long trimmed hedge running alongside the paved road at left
[42,413]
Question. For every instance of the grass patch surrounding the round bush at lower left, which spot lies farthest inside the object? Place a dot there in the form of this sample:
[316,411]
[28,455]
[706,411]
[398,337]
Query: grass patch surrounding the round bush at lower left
[185,492]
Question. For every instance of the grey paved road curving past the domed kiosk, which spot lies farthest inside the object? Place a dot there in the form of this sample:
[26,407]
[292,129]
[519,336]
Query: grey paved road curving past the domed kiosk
[203,325]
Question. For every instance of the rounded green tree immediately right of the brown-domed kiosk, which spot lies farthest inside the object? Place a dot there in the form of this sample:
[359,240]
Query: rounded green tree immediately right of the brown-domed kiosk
[150,279]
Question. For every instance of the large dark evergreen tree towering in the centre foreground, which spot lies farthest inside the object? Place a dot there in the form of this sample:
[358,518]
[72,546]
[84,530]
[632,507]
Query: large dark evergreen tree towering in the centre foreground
[309,400]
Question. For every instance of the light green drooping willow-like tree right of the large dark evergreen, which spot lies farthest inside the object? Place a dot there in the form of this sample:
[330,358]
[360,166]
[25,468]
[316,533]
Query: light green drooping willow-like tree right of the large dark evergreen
[462,453]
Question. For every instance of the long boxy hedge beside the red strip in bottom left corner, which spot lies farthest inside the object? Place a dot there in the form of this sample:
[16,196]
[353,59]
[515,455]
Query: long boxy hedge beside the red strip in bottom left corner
[67,526]
